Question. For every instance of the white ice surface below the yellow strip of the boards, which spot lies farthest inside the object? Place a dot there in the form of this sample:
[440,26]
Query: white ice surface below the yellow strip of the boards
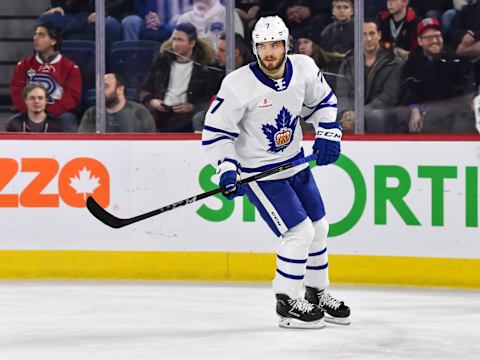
[169,320]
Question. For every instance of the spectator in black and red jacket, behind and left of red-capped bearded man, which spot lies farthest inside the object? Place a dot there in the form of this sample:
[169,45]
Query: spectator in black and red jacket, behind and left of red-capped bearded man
[398,27]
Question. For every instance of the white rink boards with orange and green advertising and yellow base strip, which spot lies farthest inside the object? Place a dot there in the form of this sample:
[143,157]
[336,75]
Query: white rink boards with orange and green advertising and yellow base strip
[401,212]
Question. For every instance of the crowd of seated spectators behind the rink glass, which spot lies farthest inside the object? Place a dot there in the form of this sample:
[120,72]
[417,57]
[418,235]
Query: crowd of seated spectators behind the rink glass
[422,62]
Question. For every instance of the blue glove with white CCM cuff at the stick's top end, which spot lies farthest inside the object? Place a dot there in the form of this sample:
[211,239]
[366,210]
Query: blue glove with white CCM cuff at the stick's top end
[327,143]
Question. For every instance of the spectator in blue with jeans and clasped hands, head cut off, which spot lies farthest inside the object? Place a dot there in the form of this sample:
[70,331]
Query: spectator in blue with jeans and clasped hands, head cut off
[149,21]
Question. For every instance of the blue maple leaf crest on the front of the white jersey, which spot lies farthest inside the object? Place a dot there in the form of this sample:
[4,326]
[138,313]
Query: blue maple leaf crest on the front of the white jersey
[280,136]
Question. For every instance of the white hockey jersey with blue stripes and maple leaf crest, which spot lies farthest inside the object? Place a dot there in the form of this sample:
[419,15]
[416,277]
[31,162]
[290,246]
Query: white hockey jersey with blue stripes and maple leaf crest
[255,120]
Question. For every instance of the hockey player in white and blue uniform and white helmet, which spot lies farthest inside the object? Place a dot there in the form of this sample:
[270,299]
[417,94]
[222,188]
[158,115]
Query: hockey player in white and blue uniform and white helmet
[252,126]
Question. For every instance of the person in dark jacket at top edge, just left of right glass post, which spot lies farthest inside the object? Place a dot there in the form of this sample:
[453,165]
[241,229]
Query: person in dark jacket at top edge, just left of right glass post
[339,36]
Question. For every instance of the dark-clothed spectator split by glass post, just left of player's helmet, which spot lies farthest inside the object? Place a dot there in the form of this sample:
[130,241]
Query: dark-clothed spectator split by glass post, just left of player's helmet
[216,73]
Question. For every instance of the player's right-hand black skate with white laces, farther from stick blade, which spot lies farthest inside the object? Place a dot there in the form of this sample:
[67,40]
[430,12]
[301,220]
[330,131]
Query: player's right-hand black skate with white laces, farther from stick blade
[335,310]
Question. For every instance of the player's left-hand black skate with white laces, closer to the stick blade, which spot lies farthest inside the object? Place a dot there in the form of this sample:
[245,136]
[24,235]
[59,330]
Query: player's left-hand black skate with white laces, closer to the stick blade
[298,313]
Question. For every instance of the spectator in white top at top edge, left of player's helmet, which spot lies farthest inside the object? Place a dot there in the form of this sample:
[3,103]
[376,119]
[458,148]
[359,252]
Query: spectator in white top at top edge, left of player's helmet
[208,17]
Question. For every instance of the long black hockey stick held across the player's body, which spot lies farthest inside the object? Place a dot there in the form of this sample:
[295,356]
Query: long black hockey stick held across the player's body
[115,222]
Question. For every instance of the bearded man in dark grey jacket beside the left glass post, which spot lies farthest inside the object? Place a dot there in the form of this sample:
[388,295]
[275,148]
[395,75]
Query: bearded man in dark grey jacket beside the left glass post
[122,115]
